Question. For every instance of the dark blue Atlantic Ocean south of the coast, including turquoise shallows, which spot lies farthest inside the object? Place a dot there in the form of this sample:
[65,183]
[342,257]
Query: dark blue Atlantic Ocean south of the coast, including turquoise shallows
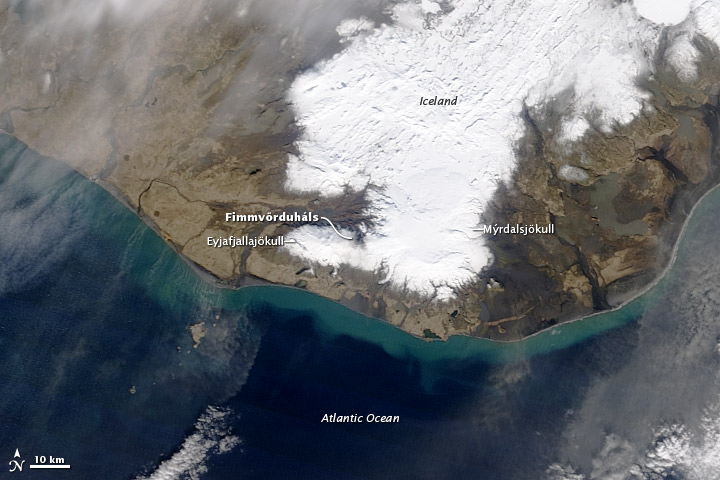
[99,368]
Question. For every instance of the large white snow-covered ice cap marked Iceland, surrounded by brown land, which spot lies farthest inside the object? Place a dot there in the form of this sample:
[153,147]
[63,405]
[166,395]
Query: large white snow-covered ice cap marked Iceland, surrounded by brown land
[437,166]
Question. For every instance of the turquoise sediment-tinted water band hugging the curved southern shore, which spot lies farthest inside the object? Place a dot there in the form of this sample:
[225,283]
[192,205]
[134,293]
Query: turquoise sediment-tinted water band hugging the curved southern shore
[172,282]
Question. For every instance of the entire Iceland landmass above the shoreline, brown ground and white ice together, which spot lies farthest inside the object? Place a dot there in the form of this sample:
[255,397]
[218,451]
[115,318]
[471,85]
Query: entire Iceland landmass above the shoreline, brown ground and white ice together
[188,112]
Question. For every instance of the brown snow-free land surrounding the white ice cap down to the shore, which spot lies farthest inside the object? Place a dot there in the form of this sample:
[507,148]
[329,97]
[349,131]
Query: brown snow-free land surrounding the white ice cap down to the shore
[183,117]
